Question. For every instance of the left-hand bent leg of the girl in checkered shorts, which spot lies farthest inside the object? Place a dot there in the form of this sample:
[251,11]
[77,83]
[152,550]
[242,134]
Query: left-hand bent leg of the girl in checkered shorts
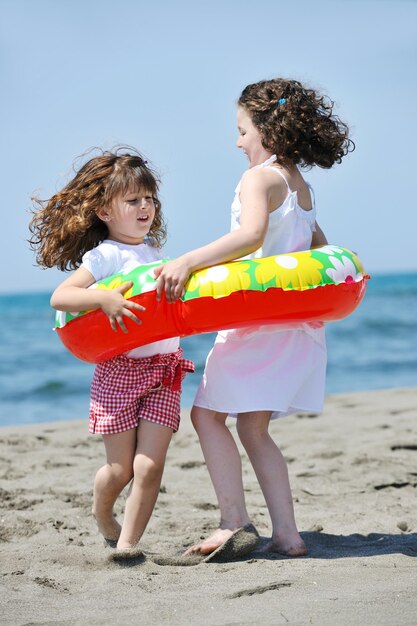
[112,478]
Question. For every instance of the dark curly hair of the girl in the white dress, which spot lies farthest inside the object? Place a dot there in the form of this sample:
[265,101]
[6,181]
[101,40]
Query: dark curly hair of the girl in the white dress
[300,129]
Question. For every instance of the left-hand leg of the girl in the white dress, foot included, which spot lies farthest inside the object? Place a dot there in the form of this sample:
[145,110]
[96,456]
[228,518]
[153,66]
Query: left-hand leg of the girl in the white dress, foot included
[225,468]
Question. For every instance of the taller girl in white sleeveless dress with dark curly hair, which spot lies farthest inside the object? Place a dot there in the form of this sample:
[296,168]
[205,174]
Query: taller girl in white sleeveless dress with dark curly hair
[259,373]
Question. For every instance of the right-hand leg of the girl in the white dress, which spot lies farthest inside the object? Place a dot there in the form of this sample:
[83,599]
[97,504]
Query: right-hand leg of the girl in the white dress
[271,470]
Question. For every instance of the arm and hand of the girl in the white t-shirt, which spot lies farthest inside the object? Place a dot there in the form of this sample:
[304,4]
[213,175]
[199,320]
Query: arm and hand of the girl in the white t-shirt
[73,295]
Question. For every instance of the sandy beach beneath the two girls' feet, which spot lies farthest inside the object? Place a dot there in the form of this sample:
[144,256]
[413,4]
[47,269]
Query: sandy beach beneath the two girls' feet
[354,475]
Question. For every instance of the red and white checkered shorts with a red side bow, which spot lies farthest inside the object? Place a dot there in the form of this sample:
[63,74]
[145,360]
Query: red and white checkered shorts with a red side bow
[125,390]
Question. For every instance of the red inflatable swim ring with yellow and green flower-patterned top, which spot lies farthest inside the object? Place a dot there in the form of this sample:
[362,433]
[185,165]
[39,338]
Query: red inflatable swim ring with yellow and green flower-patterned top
[324,284]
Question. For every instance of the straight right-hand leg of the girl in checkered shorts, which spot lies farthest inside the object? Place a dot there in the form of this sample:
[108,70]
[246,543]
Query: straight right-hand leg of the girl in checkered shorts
[148,466]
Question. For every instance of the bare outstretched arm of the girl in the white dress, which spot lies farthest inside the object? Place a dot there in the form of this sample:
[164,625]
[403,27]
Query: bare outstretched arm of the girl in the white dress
[254,196]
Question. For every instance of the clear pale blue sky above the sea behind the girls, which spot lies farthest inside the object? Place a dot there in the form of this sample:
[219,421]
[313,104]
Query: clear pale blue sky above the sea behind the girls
[164,77]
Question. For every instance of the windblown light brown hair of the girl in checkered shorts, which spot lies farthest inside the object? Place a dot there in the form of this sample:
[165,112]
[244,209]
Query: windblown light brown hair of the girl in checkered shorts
[66,226]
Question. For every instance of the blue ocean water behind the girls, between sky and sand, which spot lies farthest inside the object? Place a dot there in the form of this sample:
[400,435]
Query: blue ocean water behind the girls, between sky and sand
[374,348]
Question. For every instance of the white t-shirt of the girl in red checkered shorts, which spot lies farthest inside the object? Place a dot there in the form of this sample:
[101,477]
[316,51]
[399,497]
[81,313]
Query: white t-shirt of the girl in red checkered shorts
[112,257]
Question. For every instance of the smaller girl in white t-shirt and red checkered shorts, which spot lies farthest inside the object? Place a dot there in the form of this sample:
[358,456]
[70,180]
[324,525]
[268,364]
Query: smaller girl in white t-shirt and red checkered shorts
[108,220]
